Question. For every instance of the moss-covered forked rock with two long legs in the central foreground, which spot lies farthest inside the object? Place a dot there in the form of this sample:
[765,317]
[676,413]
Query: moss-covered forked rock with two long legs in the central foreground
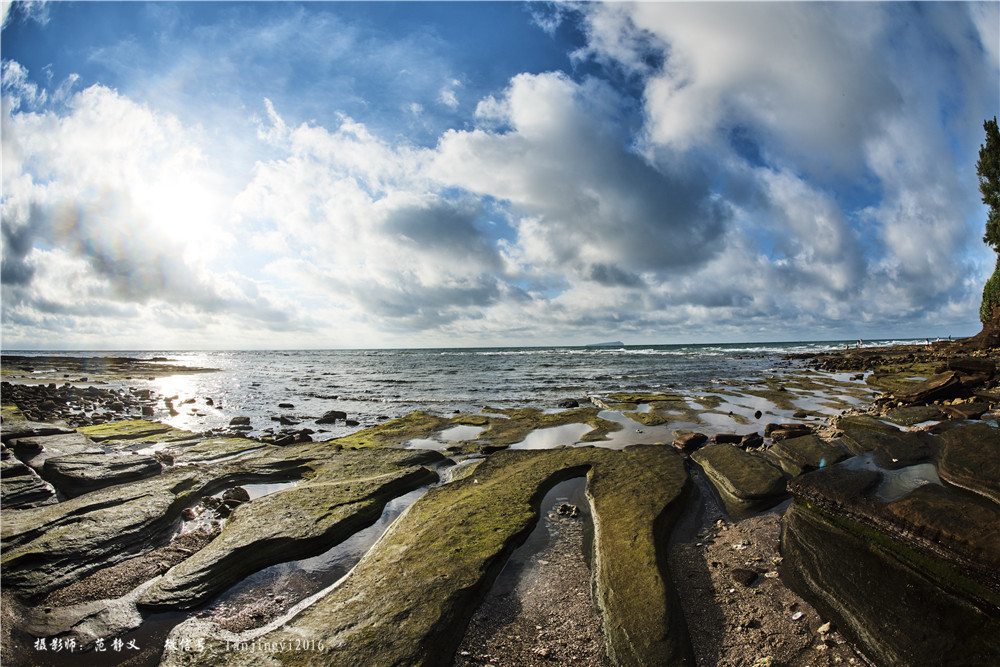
[409,599]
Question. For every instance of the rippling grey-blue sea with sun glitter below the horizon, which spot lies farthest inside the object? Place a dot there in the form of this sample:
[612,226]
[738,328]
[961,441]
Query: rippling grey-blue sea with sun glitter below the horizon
[372,386]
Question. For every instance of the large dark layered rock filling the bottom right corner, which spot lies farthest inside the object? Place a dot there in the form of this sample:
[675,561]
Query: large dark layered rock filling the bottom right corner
[912,581]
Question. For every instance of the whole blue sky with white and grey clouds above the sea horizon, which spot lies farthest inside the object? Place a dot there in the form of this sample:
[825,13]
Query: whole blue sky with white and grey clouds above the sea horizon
[285,175]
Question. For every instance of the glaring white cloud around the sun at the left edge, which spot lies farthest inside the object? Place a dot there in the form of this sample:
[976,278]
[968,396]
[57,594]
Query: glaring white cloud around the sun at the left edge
[110,203]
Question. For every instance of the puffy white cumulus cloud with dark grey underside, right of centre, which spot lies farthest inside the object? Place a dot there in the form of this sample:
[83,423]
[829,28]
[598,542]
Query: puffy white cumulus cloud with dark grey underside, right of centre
[586,205]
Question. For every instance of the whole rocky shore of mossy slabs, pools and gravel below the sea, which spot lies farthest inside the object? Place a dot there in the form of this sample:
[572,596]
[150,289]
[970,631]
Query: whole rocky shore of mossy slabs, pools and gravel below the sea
[796,539]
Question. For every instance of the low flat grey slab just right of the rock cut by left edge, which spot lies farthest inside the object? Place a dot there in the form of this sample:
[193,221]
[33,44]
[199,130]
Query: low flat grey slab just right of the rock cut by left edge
[81,473]
